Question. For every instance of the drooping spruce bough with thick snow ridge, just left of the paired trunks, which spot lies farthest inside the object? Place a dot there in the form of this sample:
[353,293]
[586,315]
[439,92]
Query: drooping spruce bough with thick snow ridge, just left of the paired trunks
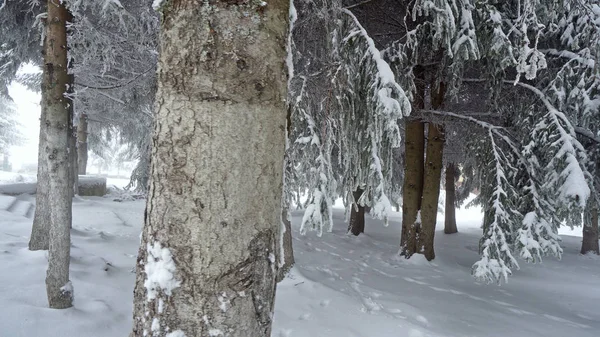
[370,120]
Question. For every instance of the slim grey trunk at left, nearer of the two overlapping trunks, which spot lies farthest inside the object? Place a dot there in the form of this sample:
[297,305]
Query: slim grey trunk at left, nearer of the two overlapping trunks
[55,156]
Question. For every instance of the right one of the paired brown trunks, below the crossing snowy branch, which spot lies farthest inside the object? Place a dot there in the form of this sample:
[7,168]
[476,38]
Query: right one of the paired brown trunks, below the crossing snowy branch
[431,189]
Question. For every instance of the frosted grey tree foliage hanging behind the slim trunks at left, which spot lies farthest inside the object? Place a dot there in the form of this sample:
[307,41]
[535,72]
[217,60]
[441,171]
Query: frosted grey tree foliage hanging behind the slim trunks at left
[112,50]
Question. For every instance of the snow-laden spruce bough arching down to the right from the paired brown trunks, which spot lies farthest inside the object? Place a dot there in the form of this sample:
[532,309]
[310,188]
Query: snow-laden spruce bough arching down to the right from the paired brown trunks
[507,231]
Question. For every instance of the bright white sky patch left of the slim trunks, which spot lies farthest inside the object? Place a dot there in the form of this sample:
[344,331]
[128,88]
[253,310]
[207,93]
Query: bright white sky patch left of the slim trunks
[28,109]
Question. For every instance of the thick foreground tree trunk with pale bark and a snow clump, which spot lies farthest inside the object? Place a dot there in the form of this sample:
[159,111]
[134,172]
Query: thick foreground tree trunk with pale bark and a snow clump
[208,262]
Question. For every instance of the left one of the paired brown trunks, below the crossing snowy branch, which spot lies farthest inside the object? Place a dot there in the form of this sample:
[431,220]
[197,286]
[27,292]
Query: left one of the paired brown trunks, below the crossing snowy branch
[412,189]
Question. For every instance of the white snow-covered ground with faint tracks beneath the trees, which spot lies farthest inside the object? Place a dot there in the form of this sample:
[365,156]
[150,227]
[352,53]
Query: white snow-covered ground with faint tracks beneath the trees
[342,286]
